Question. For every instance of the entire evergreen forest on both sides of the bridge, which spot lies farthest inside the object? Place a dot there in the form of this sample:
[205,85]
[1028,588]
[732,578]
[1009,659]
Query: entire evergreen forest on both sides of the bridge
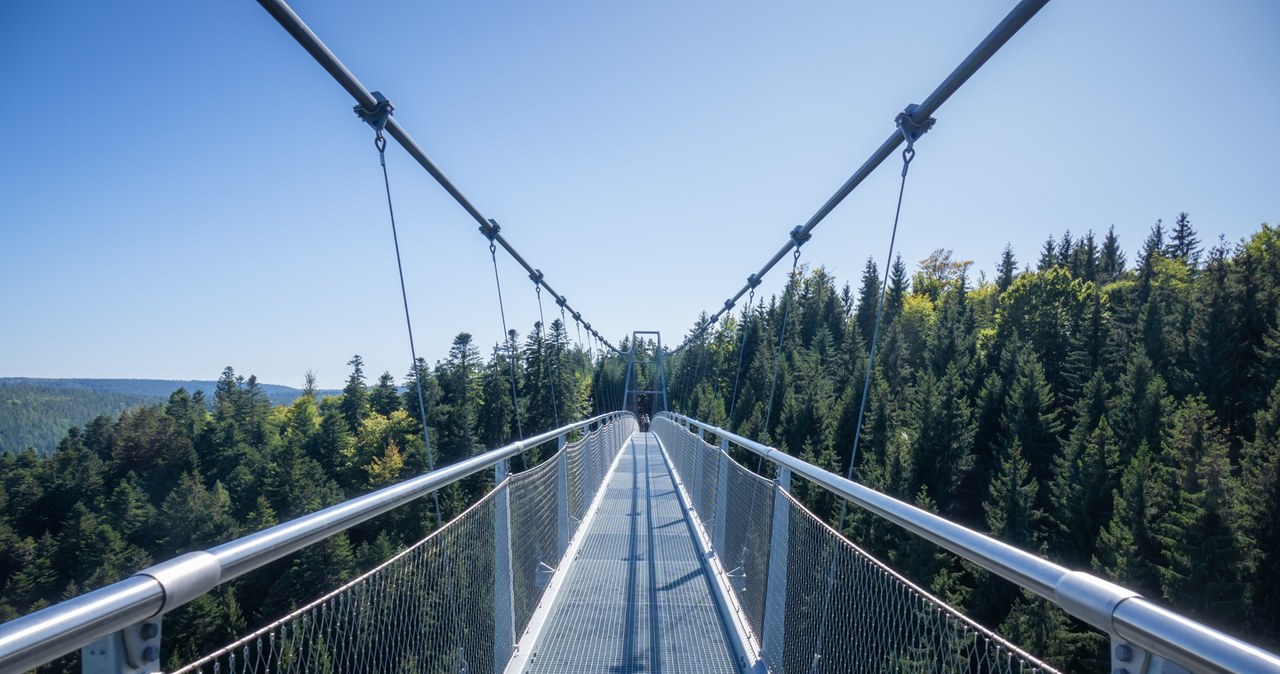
[1121,418]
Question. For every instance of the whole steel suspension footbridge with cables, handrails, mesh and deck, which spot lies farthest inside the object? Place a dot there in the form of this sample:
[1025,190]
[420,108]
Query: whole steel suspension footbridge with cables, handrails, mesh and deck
[632,548]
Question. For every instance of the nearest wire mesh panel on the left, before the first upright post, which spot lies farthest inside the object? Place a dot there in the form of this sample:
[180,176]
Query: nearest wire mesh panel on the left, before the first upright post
[428,609]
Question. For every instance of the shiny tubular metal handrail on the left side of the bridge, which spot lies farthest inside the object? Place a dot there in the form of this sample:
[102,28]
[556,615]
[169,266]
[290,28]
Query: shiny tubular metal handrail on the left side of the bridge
[53,632]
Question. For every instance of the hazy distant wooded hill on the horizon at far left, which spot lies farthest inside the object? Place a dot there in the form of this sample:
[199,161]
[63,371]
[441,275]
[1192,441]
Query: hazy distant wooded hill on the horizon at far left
[38,412]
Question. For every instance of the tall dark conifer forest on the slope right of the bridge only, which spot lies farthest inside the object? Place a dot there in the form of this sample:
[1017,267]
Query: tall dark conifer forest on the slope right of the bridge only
[1118,419]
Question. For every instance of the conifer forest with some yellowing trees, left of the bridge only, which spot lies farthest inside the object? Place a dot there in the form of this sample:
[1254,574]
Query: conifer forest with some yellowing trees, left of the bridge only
[120,494]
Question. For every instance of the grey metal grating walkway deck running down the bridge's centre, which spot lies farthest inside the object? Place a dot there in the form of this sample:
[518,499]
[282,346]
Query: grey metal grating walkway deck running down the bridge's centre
[637,598]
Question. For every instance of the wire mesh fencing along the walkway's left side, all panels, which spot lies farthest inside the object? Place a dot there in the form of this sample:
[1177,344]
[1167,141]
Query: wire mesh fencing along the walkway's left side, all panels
[432,607]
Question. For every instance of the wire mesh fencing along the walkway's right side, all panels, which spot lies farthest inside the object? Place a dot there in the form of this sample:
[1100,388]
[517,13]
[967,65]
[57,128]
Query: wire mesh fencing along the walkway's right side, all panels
[844,611]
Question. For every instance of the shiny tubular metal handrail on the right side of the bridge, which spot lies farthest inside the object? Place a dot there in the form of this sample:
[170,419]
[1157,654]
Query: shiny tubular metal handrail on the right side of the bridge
[1103,604]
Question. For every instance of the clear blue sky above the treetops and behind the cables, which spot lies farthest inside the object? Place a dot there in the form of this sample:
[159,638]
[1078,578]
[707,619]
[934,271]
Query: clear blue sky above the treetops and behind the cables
[184,189]
